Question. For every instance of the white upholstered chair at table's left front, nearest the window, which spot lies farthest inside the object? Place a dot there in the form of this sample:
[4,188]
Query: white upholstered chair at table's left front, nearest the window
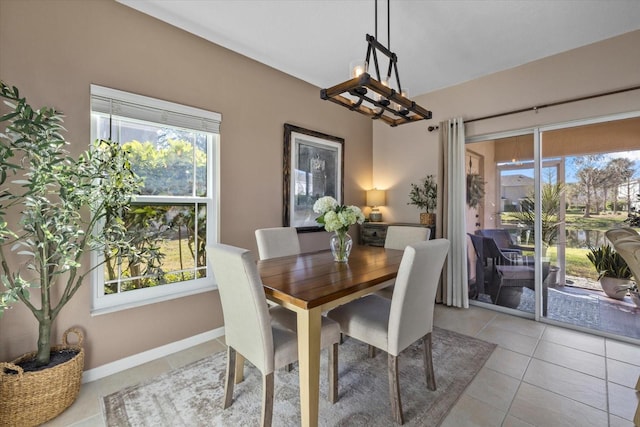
[265,337]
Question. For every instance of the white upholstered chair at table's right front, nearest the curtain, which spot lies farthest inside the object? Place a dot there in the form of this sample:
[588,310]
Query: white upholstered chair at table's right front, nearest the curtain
[393,325]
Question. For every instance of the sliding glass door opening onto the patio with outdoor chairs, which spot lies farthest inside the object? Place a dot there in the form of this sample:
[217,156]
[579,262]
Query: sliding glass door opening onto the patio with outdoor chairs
[547,197]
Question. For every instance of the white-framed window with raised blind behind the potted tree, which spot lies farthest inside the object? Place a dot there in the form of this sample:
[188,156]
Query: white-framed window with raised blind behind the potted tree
[174,150]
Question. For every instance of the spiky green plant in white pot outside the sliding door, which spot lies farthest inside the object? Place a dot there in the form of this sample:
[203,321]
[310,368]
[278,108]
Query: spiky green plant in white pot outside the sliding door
[613,272]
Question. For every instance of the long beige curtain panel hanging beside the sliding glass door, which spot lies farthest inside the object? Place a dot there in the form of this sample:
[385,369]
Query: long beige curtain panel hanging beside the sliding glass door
[451,213]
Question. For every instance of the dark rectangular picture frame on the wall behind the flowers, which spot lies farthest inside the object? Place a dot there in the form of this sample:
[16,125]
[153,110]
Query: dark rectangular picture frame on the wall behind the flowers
[313,167]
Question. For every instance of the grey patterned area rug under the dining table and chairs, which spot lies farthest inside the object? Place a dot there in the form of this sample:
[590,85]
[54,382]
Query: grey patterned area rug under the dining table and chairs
[192,395]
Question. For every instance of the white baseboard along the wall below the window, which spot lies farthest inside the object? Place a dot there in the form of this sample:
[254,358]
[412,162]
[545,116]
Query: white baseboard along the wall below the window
[149,355]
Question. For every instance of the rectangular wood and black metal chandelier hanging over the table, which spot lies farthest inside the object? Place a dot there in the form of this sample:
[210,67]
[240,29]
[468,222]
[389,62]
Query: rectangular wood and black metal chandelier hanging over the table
[374,97]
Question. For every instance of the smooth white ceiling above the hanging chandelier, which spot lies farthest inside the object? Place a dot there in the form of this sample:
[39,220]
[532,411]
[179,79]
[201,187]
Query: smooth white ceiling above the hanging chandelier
[438,43]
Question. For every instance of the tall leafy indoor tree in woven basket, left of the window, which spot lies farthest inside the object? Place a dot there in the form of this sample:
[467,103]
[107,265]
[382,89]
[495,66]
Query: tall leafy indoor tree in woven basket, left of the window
[54,210]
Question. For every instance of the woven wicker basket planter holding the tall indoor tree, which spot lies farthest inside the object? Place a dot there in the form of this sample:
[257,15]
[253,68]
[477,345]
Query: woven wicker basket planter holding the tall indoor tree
[32,398]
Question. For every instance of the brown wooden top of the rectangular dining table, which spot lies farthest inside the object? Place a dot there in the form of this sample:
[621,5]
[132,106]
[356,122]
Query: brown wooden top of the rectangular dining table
[313,279]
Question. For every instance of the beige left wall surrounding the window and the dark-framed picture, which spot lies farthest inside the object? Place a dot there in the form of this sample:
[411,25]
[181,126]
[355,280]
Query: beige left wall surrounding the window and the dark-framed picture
[54,49]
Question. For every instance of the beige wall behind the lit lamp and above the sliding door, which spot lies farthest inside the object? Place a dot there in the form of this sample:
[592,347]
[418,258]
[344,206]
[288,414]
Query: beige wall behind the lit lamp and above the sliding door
[407,153]
